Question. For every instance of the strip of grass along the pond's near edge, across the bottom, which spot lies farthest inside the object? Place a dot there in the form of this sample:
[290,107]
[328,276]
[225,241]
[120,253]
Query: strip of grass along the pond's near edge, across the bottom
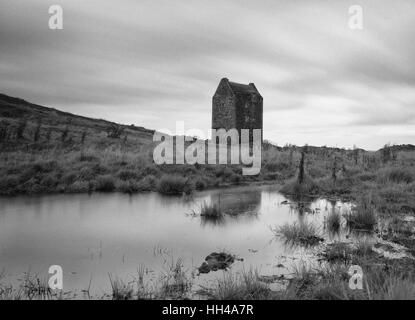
[383,279]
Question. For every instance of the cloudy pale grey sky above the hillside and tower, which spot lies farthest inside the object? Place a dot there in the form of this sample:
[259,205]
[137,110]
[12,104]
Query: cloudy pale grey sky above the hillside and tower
[154,62]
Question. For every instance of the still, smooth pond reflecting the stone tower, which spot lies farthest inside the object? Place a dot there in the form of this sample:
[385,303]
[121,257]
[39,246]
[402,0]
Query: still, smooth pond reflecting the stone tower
[94,236]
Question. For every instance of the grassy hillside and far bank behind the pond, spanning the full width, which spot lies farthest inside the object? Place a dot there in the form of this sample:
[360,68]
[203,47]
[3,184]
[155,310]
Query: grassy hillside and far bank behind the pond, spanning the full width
[44,150]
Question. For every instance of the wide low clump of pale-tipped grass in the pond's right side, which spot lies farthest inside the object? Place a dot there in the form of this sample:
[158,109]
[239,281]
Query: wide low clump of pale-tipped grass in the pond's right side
[304,233]
